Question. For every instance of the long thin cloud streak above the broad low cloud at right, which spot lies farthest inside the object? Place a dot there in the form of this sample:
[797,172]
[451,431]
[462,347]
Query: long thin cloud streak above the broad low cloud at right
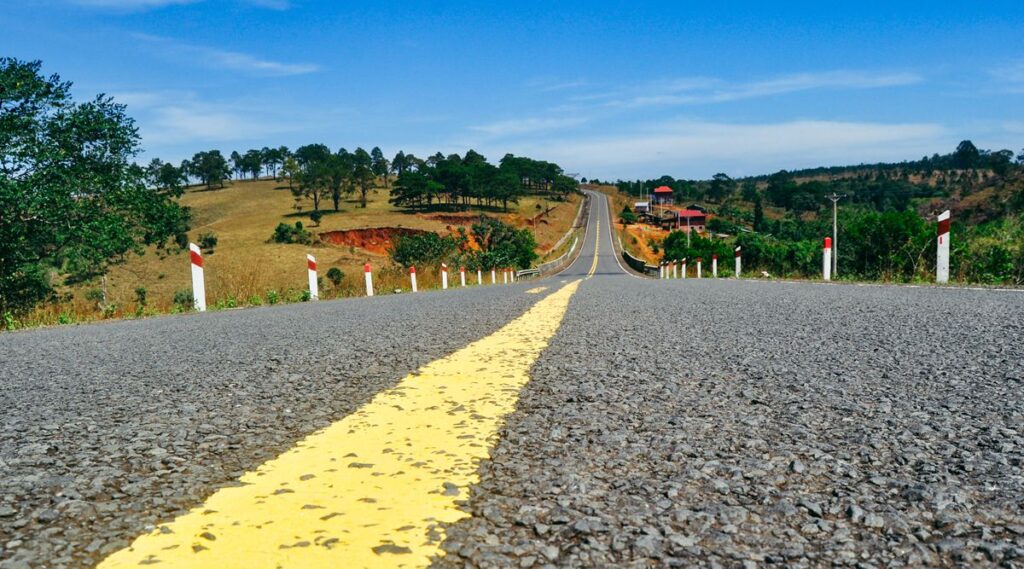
[704,91]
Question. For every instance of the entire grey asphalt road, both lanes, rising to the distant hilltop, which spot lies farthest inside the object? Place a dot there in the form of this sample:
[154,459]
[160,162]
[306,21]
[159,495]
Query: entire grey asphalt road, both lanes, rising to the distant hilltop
[716,423]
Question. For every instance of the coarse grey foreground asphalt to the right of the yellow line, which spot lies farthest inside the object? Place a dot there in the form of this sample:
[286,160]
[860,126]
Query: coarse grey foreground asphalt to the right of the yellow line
[729,424]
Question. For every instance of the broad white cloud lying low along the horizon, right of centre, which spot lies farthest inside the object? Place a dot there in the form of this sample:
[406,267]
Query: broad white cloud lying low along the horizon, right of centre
[695,149]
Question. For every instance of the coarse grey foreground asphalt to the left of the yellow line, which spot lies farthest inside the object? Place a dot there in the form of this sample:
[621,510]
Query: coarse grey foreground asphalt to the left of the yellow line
[108,430]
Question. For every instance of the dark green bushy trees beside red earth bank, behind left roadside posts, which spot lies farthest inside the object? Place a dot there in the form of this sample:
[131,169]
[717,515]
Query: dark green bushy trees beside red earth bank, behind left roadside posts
[498,245]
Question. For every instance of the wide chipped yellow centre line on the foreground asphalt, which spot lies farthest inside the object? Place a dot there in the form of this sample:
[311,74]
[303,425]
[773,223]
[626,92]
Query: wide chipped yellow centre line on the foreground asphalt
[374,489]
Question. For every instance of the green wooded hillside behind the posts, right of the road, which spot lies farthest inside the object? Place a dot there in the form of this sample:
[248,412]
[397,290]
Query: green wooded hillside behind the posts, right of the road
[886,218]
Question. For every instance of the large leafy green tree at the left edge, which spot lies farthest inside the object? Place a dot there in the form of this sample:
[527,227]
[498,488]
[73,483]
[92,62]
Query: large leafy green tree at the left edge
[72,202]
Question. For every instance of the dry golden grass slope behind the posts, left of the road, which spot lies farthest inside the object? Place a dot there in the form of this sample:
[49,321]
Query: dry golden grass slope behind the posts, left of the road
[246,269]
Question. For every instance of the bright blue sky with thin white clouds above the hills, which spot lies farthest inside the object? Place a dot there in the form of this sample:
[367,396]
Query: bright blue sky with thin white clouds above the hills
[607,90]
